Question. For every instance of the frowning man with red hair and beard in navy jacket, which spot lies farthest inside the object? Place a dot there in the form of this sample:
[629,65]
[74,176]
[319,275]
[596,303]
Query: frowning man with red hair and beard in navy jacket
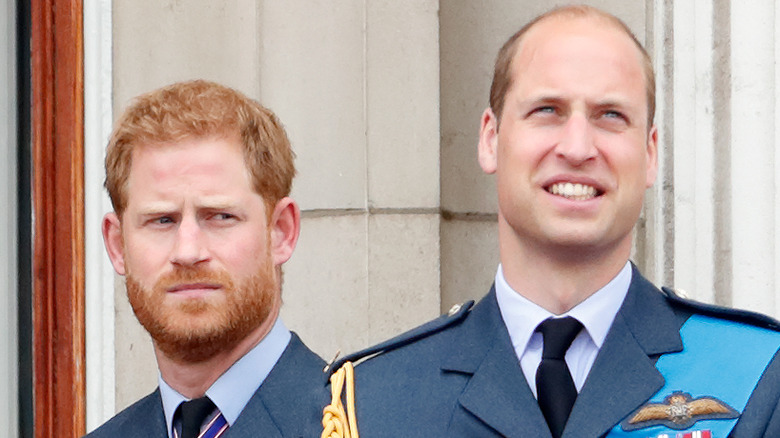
[199,177]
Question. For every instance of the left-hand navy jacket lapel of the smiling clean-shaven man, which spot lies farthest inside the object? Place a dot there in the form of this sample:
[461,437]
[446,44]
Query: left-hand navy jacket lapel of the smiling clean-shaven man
[496,392]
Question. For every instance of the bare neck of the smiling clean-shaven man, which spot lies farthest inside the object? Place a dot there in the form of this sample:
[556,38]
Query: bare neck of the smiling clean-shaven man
[561,278]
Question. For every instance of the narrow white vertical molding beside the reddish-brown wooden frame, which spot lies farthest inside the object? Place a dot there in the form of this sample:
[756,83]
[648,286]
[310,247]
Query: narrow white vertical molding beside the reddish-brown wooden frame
[99,272]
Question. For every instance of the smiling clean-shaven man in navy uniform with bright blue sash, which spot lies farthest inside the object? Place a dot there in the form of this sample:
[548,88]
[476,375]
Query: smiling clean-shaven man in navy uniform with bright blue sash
[572,341]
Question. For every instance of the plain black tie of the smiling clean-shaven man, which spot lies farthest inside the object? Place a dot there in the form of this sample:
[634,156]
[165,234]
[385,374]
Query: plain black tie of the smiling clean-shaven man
[554,386]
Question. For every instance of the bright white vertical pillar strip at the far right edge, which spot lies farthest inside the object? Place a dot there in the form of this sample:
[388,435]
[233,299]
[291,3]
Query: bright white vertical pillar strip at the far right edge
[753,154]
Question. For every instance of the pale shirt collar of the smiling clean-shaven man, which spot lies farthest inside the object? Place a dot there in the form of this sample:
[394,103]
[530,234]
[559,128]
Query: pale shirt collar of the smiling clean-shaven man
[596,313]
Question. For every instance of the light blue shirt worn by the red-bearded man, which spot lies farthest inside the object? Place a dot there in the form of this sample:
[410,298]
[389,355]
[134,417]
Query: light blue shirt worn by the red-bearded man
[233,389]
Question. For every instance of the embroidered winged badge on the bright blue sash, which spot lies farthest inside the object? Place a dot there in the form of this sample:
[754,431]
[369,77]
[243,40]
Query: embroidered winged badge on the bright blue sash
[678,411]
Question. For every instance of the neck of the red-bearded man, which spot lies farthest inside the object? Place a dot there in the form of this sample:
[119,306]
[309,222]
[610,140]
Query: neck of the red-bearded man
[192,379]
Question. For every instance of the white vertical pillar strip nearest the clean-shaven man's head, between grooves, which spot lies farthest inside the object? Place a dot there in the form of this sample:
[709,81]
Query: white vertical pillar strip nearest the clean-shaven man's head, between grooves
[693,149]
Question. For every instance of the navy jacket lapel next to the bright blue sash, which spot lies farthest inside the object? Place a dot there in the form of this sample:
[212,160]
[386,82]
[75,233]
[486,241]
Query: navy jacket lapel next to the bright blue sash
[624,374]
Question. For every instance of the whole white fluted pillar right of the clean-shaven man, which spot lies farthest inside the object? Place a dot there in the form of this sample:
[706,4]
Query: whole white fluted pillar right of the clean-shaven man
[718,92]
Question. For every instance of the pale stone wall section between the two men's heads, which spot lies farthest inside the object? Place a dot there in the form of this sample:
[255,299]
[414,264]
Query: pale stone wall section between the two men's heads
[356,84]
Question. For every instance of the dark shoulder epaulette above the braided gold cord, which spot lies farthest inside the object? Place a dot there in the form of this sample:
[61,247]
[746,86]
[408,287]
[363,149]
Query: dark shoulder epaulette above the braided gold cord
[456,314]
